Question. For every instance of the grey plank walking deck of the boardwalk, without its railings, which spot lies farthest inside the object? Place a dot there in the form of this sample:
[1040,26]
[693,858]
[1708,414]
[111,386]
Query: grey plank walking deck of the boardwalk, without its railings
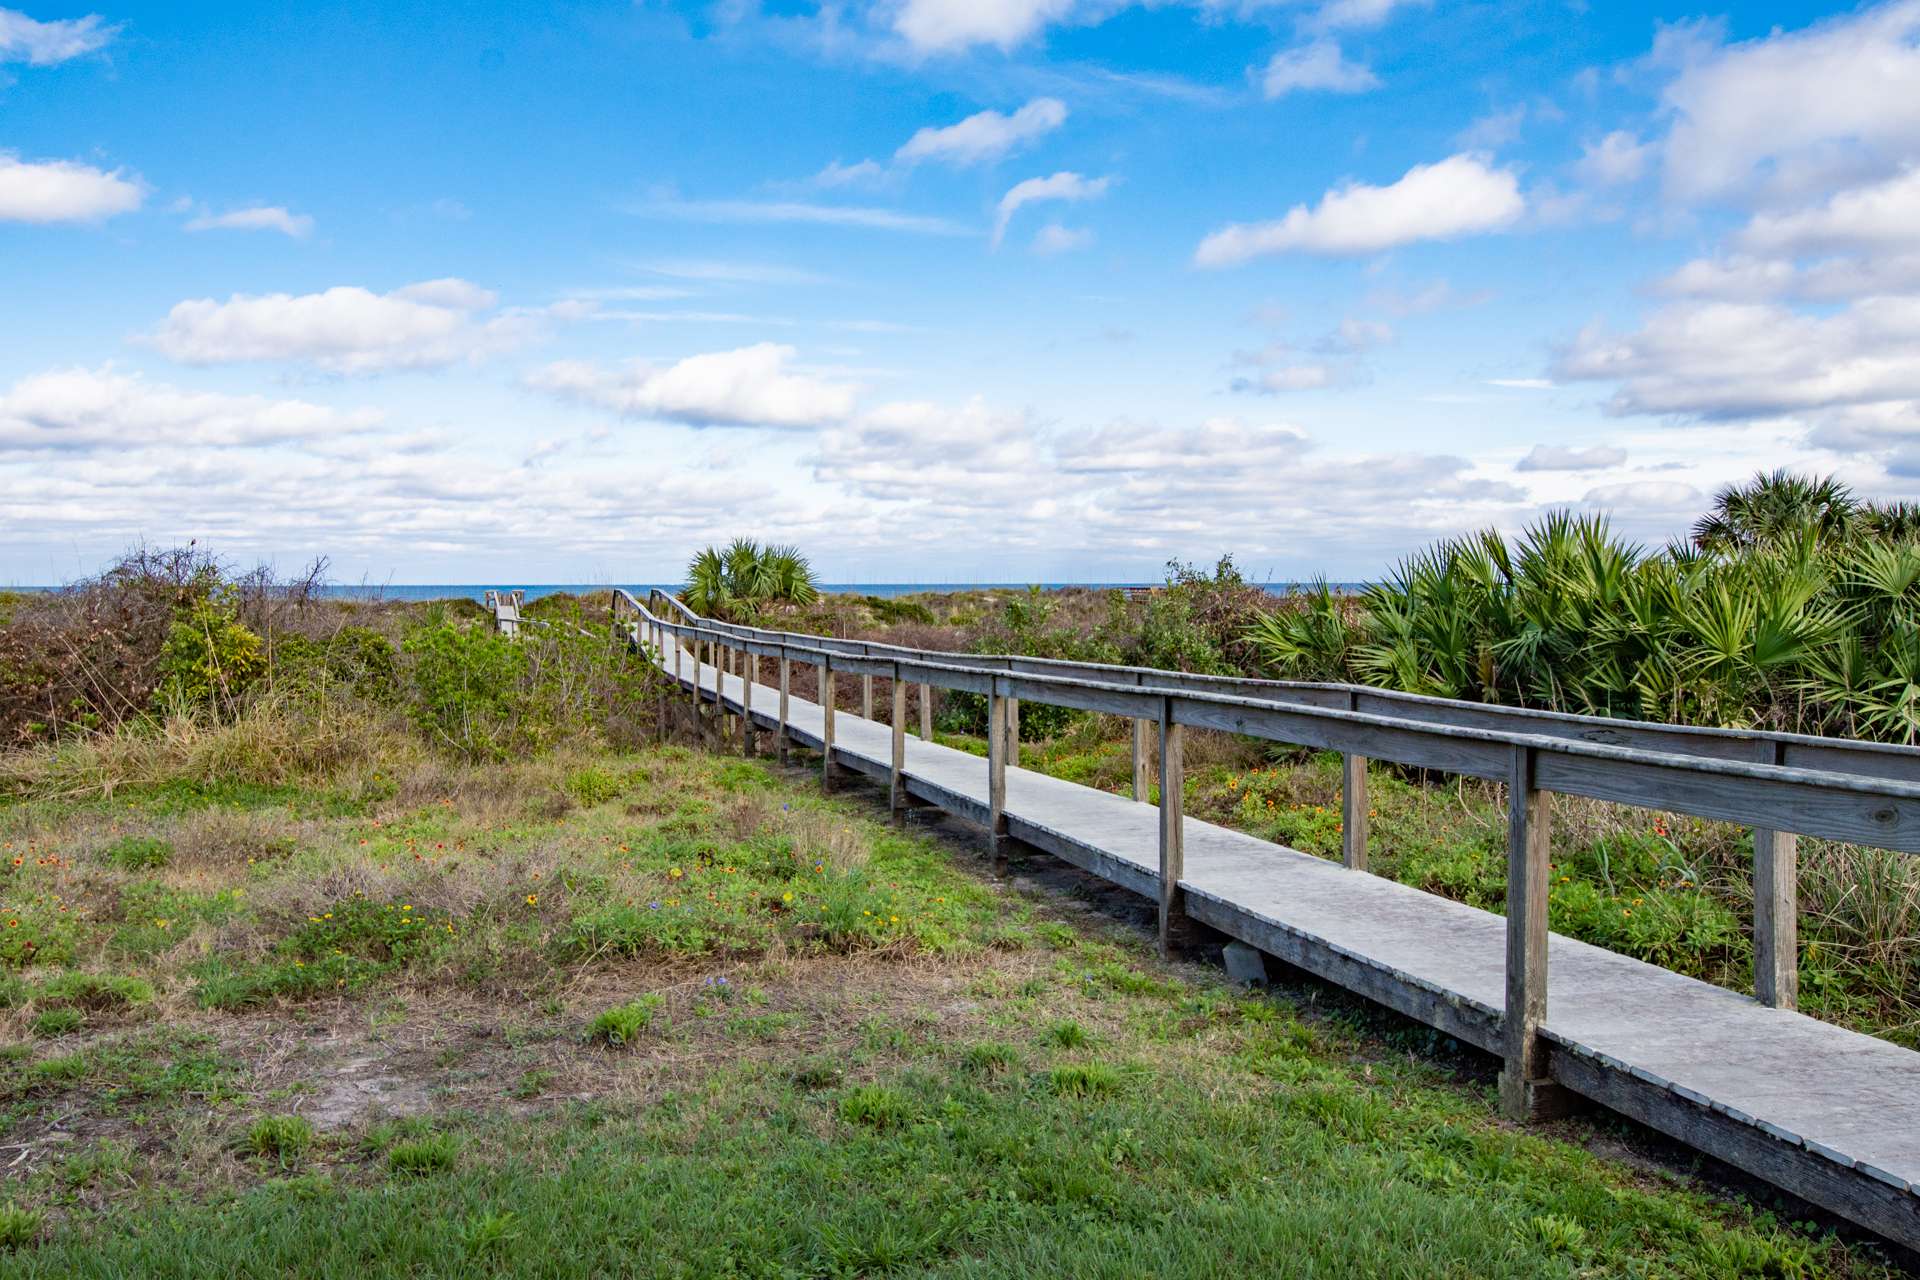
[1817,1110]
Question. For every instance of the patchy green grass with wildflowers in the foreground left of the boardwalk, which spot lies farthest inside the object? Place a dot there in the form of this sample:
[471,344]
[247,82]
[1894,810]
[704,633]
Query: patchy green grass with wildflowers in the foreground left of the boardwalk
[855,1056]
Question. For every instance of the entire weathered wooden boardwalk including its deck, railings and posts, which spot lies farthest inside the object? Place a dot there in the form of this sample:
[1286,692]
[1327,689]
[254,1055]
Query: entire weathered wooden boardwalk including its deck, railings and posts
[1815,1110]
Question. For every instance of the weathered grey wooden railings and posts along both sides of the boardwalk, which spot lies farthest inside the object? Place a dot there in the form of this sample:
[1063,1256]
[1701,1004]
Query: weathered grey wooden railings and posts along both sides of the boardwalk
[1779,784]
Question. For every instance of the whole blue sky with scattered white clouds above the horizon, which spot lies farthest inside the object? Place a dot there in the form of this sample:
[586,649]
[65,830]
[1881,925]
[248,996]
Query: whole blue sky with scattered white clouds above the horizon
[940,289]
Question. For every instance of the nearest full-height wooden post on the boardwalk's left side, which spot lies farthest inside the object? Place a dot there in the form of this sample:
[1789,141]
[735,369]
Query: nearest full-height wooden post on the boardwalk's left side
[1525,1089]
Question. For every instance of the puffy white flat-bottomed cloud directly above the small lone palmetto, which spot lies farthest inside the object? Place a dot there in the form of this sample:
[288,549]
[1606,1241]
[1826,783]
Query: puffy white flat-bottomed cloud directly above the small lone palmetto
[748,387]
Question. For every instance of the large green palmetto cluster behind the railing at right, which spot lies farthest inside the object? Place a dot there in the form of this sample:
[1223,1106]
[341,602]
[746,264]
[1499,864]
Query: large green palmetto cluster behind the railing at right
[1796,607]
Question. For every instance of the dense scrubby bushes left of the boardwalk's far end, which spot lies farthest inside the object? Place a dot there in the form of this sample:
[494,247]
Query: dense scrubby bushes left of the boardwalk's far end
[176,636]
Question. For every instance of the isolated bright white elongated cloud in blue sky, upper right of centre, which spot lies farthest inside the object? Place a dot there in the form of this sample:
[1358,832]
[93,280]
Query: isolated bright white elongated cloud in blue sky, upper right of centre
[1456,197]
